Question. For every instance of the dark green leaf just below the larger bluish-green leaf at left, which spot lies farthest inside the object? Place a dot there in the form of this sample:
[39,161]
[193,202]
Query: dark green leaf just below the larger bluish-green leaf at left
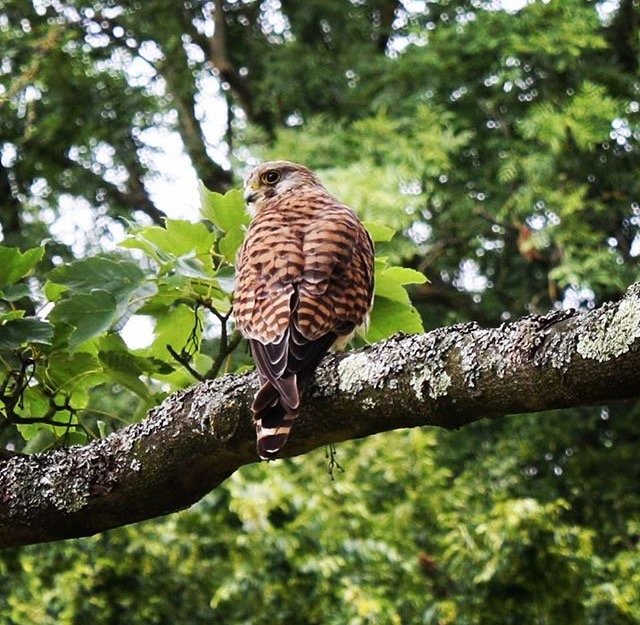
[90,314]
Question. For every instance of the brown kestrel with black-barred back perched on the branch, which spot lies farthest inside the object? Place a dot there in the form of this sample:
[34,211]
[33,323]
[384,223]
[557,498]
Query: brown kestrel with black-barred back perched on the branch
[304,282]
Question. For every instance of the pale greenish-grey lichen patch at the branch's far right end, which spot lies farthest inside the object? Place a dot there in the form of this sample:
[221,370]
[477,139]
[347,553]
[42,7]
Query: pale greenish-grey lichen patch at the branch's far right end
[612,332]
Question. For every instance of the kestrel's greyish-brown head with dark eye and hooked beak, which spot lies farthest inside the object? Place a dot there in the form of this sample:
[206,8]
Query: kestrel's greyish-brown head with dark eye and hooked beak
[270,180]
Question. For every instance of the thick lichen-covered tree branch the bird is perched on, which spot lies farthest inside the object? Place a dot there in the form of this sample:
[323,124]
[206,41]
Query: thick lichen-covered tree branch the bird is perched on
[198,437]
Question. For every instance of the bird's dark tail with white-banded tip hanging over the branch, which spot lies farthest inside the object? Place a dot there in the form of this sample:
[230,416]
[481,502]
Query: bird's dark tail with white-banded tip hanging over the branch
[274,412]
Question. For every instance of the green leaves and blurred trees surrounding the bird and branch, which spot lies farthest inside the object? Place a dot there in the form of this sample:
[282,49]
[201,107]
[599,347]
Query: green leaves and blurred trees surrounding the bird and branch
[499,142]
